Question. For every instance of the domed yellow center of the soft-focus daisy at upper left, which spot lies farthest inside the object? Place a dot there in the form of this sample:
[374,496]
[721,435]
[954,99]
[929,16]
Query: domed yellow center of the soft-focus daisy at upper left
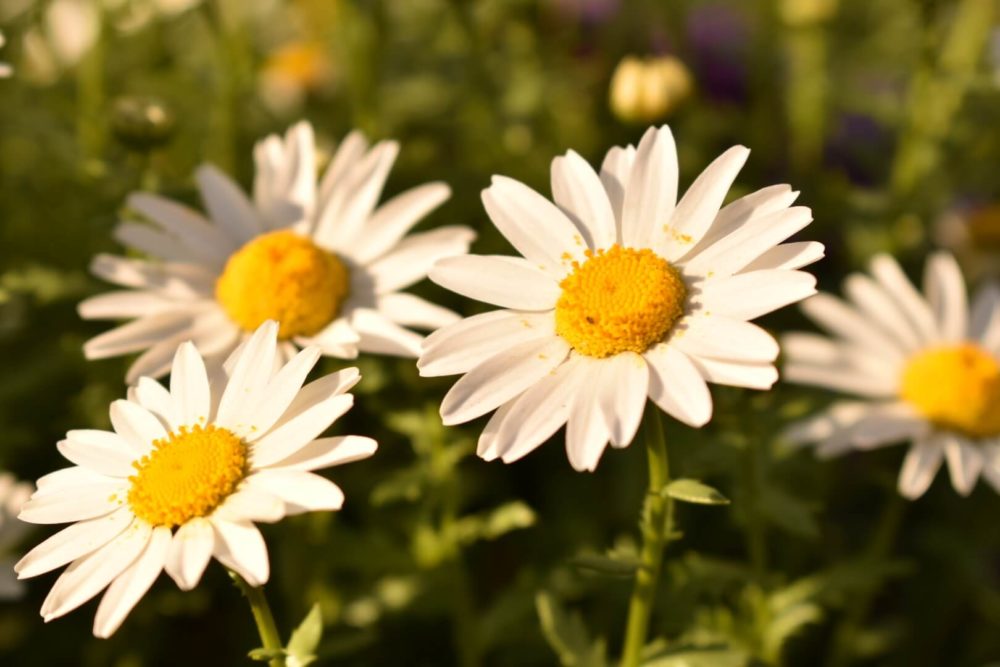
[284,277]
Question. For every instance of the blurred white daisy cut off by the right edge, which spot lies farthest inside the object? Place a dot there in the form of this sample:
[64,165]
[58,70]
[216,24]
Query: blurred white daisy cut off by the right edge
[924,368]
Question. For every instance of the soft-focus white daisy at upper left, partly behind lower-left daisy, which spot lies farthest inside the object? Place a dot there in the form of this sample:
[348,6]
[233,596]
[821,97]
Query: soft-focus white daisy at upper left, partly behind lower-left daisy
[321,260]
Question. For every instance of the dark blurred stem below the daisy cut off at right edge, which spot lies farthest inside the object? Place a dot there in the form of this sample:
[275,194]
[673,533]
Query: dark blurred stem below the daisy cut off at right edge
[883,539]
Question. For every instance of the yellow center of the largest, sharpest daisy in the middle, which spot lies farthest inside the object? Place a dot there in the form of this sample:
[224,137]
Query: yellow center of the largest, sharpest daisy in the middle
[619,300]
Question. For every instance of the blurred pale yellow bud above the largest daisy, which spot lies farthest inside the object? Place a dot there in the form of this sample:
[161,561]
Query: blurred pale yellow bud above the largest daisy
[643,90]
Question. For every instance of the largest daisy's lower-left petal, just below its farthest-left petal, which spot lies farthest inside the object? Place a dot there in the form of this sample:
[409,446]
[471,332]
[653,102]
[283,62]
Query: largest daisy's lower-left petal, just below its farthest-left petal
[501,378]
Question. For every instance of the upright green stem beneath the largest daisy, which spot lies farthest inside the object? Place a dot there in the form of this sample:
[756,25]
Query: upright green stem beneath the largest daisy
[657,525]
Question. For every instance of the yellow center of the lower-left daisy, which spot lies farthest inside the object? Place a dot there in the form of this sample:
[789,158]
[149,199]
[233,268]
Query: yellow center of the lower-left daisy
[187,475]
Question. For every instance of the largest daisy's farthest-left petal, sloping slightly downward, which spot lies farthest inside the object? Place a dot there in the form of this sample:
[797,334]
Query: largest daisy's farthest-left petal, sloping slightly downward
[464,345]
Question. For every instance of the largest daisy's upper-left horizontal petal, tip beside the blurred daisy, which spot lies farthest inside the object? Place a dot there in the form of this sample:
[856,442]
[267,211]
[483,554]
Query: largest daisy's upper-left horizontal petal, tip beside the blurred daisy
[508,282]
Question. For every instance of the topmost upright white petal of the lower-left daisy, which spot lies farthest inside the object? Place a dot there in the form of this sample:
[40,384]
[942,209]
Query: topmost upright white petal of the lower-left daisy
[250,375]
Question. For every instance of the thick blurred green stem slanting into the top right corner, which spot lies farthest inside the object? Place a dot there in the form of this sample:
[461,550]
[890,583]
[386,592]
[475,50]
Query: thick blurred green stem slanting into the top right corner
[936,93]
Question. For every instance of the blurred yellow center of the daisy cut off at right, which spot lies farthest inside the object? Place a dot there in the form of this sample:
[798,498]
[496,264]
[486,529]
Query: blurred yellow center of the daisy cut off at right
[955,387]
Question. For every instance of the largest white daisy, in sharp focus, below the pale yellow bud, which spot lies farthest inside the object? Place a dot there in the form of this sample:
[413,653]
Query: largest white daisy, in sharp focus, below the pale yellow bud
[622,292]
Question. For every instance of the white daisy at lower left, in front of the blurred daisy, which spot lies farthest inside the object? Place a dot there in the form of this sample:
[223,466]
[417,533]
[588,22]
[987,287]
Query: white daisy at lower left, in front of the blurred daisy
[185,474]
